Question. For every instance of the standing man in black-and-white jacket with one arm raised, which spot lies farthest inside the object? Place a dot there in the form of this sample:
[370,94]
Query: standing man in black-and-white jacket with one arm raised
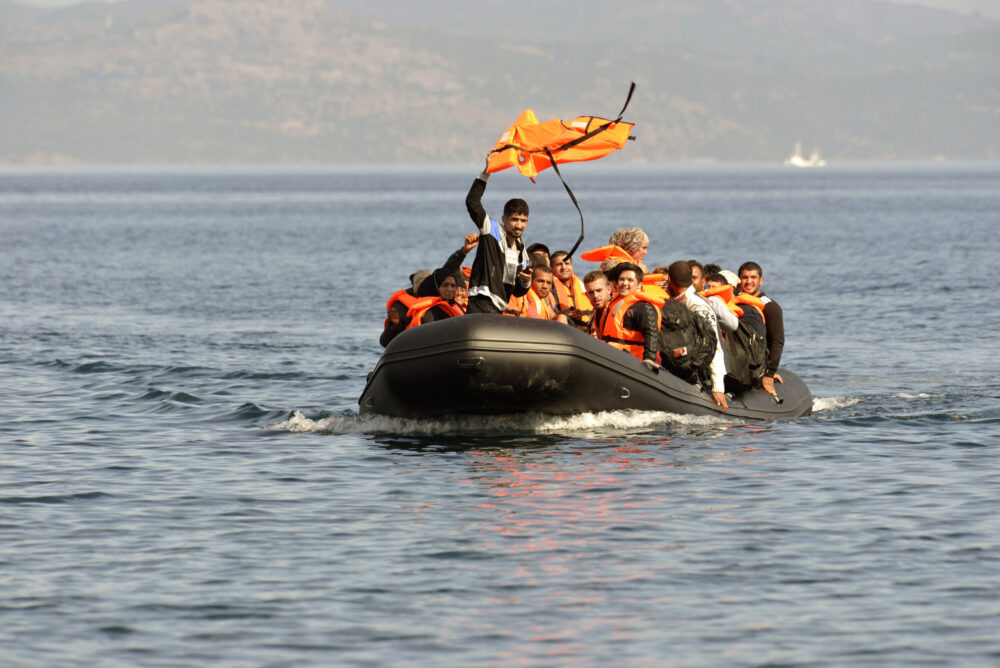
[500,268]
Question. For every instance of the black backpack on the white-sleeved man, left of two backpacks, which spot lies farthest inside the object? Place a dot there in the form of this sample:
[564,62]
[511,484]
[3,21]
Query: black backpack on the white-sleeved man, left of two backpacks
[687,343]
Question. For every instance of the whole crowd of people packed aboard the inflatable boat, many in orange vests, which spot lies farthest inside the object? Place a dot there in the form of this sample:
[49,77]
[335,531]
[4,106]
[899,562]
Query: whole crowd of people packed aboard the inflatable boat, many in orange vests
[703,323]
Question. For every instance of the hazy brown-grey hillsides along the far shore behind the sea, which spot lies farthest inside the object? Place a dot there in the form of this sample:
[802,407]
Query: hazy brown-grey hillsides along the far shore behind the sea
[307,81]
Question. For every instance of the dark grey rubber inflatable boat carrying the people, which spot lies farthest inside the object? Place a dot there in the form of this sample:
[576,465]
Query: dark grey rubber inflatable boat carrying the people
[492,365]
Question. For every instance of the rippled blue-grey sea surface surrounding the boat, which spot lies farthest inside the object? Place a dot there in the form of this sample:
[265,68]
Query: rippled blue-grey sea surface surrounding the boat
[185,481]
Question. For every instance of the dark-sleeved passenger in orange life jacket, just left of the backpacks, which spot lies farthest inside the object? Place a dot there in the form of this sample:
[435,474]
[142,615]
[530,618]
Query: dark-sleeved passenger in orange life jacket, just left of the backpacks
[631,321]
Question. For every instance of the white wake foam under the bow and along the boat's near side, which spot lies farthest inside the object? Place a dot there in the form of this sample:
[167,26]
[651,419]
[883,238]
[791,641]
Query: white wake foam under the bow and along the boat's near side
[616,421]
